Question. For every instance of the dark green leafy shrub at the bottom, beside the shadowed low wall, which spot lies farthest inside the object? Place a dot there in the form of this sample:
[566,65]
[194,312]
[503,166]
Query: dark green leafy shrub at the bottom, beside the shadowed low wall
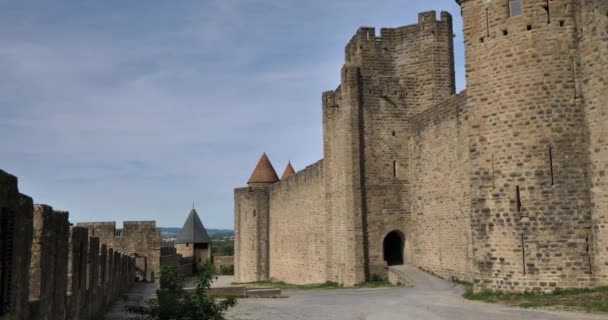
[174,303]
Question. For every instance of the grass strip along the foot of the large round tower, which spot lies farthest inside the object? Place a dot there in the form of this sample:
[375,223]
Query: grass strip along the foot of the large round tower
[588,300]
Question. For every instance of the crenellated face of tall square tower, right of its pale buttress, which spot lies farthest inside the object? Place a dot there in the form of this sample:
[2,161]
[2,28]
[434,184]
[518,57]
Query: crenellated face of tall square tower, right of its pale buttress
[403,72]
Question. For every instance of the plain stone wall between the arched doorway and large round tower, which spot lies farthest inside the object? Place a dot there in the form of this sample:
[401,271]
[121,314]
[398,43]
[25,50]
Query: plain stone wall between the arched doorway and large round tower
[440,232]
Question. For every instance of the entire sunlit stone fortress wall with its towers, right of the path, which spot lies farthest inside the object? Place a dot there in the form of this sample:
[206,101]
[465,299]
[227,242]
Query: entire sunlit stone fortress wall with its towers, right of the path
[503,184]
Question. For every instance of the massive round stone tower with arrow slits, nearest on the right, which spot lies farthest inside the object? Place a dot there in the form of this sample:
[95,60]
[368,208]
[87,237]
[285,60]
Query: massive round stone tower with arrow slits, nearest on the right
[530,198]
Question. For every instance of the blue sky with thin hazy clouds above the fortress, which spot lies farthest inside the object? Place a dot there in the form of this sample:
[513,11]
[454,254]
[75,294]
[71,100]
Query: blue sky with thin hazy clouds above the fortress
[121,110]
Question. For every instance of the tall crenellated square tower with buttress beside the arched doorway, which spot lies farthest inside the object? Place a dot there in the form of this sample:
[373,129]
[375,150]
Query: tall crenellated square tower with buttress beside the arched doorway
[387,77]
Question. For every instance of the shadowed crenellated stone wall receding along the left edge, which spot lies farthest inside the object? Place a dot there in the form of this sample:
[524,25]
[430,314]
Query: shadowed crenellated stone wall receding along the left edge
[49,269]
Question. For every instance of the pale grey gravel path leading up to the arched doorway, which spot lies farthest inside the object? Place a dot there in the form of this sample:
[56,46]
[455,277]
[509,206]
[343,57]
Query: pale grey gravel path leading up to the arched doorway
[431,299]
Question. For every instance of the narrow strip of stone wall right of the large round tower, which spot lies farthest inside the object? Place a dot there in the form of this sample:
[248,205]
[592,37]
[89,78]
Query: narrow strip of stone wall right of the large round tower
[593,59]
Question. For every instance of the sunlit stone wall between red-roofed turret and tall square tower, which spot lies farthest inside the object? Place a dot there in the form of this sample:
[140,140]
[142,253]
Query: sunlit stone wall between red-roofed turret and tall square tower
[297,227]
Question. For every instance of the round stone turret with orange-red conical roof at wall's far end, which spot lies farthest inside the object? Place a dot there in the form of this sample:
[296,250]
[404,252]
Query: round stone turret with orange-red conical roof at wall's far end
[252,208]
